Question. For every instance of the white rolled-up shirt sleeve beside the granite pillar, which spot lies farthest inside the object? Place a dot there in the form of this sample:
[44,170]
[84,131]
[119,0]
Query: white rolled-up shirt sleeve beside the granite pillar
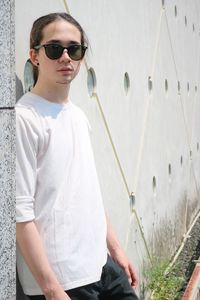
[26,167]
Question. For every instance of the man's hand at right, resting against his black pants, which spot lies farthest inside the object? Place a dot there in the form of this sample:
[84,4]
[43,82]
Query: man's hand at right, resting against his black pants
[121,259]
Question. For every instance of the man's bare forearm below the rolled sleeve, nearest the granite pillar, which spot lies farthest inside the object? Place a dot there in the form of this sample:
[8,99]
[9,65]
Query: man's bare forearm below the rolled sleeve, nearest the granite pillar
[30,245]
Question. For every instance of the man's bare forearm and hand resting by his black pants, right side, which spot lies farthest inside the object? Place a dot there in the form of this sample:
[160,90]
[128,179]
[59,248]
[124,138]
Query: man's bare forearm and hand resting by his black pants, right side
[119,255]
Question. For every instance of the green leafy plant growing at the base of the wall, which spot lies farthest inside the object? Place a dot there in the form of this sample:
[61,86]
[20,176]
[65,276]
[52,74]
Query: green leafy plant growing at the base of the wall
[164,284]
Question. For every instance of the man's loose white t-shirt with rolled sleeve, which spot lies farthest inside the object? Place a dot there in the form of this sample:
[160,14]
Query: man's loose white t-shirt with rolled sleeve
[57,187]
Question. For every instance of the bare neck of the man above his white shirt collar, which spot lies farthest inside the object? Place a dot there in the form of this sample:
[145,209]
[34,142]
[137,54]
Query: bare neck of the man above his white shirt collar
[57,94]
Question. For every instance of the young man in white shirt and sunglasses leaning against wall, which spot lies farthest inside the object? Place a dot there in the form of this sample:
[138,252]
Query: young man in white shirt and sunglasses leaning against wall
[62,231]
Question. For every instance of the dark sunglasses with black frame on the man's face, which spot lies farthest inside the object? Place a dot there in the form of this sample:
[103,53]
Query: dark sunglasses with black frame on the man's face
[55,51]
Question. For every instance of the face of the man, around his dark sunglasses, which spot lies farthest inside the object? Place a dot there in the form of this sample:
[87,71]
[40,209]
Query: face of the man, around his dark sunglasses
[64,69]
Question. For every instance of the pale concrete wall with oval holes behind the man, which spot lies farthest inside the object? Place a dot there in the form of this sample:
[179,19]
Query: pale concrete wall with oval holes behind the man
[146,136]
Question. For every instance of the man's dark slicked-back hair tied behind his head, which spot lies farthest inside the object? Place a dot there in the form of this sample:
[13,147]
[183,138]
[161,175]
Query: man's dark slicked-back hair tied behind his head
[36,34]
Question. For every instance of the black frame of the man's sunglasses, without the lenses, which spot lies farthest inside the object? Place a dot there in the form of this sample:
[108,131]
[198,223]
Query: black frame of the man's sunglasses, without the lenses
[83,49]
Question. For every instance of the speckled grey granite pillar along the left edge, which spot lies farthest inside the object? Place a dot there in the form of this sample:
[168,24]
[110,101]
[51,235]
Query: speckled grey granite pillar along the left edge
[7,152]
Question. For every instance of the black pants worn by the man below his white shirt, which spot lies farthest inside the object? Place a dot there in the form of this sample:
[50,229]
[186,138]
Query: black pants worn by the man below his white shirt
[113,285]
